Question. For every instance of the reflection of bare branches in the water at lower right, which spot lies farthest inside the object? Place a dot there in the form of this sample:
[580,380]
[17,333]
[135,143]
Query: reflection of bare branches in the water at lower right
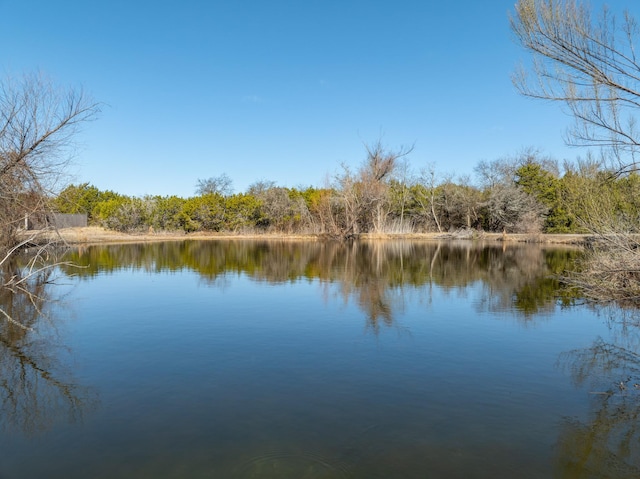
[608,444]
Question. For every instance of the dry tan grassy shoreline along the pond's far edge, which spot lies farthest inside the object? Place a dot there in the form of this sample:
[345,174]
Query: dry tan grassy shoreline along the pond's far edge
[97,235]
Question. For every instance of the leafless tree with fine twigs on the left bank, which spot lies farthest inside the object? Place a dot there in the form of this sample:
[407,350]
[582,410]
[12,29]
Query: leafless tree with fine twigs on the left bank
[38,122]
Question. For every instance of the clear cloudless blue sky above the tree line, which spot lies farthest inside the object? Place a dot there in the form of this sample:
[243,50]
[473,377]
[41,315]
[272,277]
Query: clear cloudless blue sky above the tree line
[280,90]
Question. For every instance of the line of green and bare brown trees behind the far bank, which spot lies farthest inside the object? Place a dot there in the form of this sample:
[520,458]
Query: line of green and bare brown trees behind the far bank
[527,193]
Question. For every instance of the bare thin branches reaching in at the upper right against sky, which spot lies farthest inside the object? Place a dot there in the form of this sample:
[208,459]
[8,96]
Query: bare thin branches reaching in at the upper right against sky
[589,65]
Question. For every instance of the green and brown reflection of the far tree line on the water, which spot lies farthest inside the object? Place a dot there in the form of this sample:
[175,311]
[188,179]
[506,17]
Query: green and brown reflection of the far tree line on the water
[375,274]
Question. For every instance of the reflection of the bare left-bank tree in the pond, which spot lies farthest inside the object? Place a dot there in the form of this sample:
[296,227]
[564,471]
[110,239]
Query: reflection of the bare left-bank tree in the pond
[36,389]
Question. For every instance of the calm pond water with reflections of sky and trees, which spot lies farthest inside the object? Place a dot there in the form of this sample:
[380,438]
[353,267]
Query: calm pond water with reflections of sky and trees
[267,359]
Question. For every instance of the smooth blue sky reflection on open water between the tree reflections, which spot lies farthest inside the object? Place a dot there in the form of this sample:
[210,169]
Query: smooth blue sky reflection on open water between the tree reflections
[178,361]
